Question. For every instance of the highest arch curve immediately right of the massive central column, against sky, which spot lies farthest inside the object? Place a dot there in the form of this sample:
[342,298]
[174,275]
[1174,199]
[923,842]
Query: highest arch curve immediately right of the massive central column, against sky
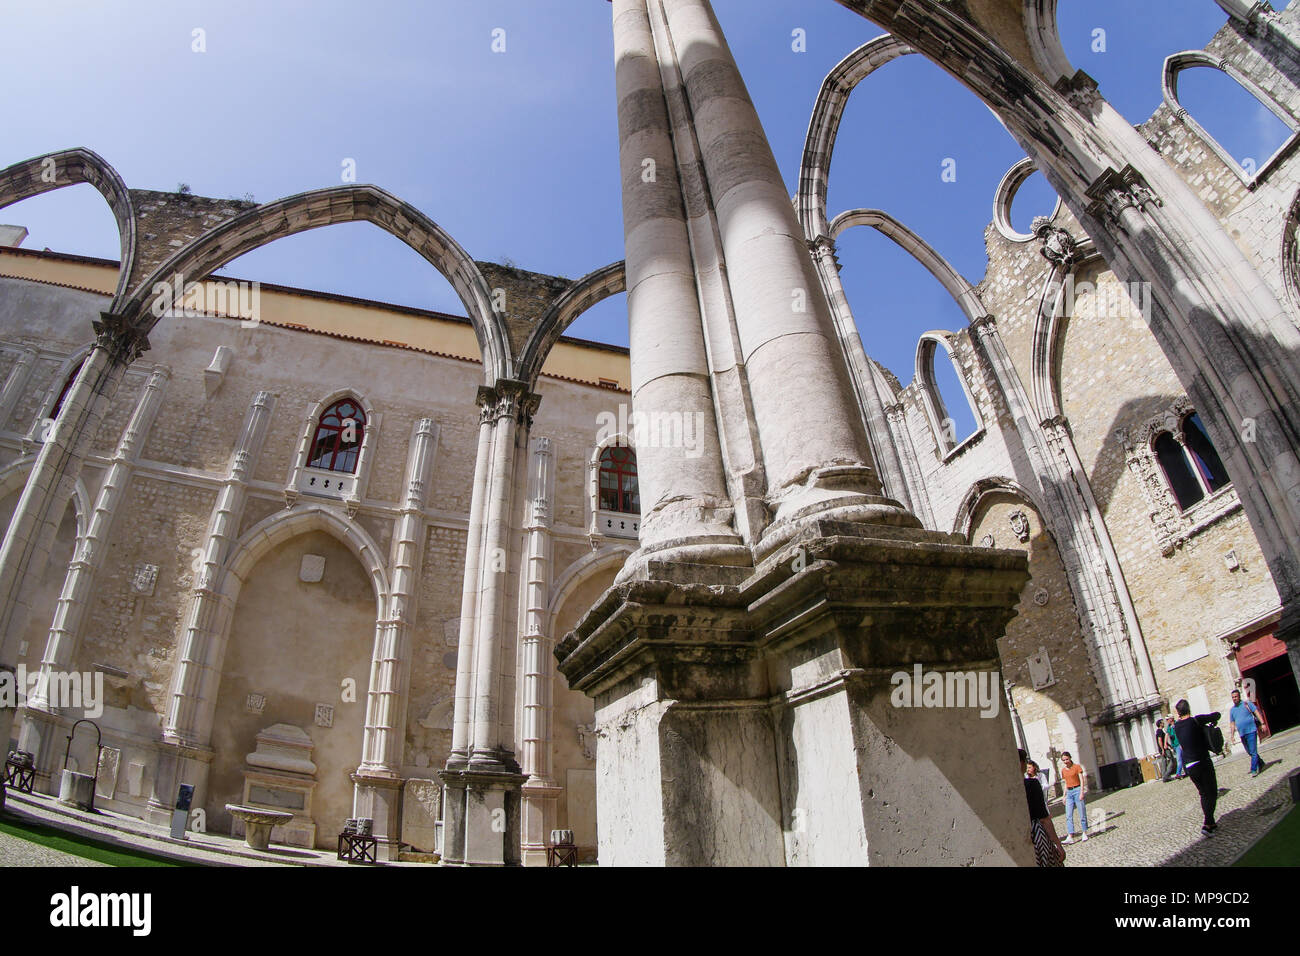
[825,127]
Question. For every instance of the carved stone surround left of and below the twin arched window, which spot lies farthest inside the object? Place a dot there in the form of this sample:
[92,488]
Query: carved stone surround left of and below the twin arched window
[1171,525]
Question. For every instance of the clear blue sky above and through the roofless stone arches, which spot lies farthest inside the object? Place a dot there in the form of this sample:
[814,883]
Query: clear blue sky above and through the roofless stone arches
[515,153]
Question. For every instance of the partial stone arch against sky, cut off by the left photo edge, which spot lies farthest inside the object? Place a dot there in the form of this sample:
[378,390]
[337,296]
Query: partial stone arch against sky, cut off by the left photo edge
[72,167]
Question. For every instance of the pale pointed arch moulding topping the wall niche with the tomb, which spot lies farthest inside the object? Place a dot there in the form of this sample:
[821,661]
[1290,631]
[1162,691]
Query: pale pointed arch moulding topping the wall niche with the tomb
[270,533]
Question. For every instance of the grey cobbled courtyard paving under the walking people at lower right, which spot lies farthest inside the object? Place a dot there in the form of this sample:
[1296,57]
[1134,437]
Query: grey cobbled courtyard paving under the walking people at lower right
[1160,824]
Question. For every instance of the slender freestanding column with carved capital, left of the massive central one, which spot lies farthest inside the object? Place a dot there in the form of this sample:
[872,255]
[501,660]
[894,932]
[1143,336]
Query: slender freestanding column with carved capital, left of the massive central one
[482,797]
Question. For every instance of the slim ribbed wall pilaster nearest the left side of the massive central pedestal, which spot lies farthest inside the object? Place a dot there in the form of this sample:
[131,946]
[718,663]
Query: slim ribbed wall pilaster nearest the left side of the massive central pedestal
[539,665]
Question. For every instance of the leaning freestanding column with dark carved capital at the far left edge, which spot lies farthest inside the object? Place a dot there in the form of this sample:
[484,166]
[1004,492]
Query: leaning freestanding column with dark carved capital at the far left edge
[32,531]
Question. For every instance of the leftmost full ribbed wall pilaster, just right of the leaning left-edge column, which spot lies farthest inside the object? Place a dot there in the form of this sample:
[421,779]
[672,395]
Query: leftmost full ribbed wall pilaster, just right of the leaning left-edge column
[66,633]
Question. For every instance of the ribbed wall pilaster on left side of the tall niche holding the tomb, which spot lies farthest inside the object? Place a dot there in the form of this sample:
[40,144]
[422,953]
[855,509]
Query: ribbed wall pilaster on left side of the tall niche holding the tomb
[188,726]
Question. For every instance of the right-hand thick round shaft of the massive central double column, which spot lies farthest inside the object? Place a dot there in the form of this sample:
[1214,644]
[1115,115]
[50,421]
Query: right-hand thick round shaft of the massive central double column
[787,336]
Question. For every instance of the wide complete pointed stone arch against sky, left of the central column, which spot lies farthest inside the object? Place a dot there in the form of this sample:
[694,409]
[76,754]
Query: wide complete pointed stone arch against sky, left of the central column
[297,214]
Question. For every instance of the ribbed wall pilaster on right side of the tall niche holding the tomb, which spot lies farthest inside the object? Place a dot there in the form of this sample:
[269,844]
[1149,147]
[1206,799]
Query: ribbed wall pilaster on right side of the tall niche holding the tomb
[379,778]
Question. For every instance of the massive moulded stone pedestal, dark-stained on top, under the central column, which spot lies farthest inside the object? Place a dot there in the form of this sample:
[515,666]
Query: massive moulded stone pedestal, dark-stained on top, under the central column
[751,719]
